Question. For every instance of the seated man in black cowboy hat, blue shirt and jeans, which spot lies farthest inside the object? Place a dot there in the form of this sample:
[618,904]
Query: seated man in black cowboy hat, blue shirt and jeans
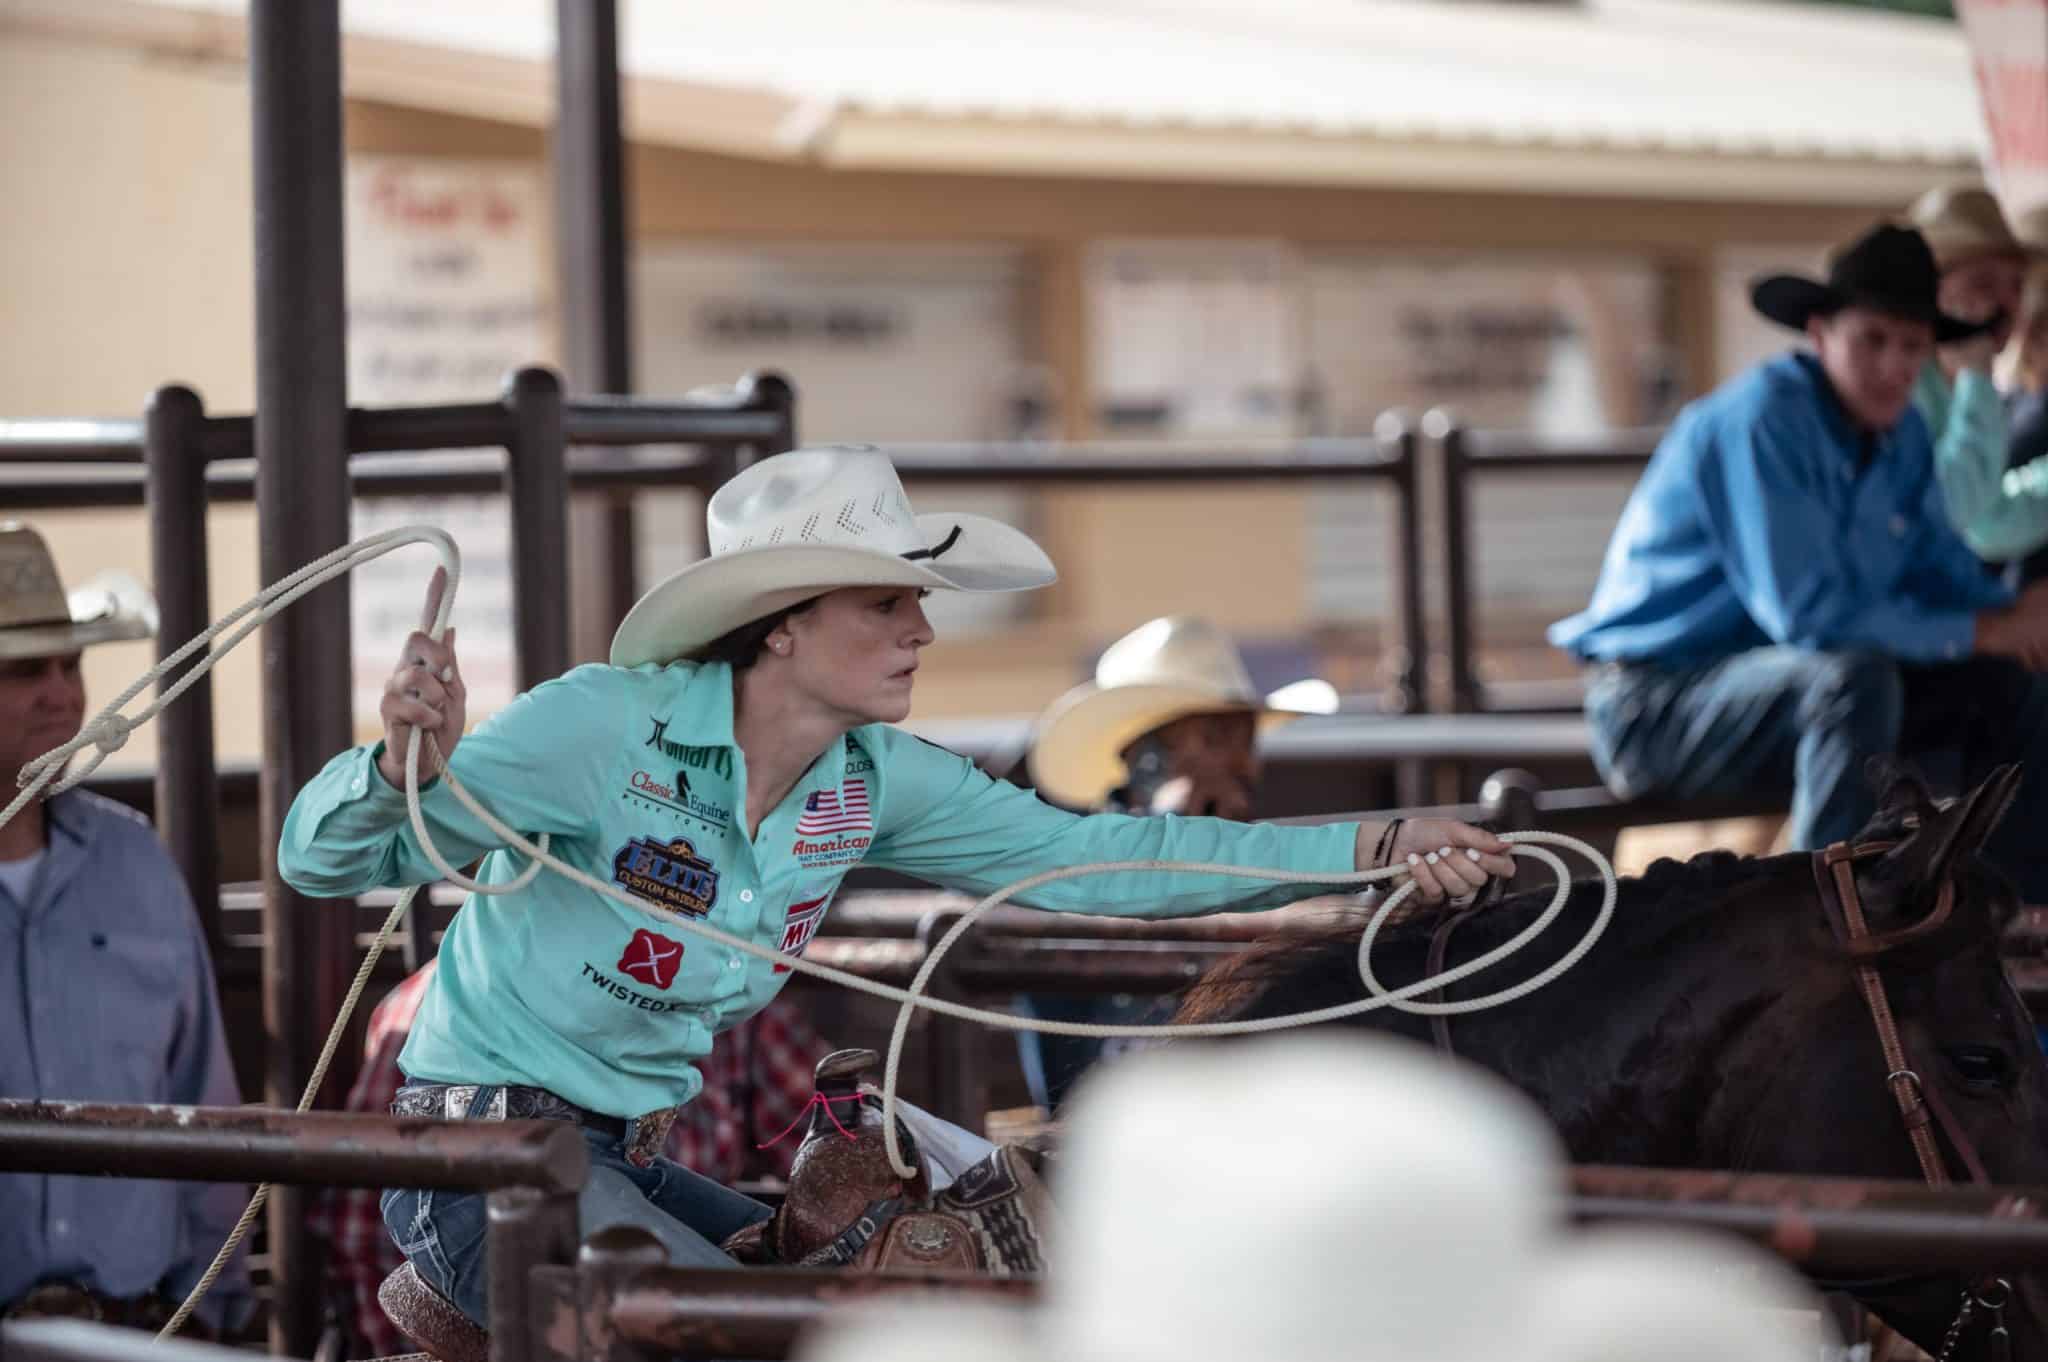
[1785,595]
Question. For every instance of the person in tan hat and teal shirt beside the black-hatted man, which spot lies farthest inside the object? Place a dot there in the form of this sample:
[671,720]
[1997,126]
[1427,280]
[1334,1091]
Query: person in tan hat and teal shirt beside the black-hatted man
[1983,269]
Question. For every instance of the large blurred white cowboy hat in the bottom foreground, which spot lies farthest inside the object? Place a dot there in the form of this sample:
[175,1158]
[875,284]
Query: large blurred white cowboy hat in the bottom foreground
[1340,1199]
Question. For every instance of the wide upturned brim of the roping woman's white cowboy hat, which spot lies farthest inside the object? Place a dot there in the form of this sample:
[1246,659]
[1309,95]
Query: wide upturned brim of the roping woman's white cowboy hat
[726,591]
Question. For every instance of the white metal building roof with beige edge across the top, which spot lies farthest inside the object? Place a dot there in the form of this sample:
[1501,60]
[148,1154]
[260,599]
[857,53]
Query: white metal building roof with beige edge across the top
[1691,99]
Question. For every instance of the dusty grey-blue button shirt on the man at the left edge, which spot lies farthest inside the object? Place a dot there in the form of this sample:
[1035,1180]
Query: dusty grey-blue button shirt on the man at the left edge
[108,996]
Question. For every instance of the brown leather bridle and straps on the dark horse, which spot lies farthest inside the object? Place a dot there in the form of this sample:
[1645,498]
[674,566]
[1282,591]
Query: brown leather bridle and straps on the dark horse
[1920,1107]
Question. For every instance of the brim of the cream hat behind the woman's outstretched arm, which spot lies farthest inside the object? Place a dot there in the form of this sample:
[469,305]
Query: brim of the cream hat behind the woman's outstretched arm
[1076,753]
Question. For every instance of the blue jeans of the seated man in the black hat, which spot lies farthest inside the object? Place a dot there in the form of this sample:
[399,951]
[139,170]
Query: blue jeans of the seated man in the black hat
[1805,722]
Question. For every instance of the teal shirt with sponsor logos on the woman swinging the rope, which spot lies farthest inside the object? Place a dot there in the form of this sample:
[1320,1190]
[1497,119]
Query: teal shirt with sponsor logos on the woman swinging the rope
[638,779]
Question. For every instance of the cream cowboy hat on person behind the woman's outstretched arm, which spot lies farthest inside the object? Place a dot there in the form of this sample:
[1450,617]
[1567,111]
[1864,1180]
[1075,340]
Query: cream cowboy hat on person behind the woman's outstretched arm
[1154,675]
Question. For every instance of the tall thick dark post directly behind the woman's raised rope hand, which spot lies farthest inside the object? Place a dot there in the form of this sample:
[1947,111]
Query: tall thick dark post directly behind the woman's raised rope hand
[302,495]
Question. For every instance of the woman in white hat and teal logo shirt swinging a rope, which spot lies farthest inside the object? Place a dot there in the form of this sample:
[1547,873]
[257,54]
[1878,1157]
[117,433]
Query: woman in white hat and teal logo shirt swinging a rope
[730,765]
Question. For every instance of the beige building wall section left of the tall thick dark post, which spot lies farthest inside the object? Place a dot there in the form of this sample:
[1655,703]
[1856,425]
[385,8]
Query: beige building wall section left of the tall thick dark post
[126,265]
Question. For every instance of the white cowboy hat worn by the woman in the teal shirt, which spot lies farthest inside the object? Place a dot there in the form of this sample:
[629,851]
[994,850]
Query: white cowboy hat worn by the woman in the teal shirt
[814,521]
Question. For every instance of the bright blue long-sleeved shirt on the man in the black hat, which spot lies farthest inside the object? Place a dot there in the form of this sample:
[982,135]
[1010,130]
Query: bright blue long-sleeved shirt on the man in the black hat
[1760,521]
